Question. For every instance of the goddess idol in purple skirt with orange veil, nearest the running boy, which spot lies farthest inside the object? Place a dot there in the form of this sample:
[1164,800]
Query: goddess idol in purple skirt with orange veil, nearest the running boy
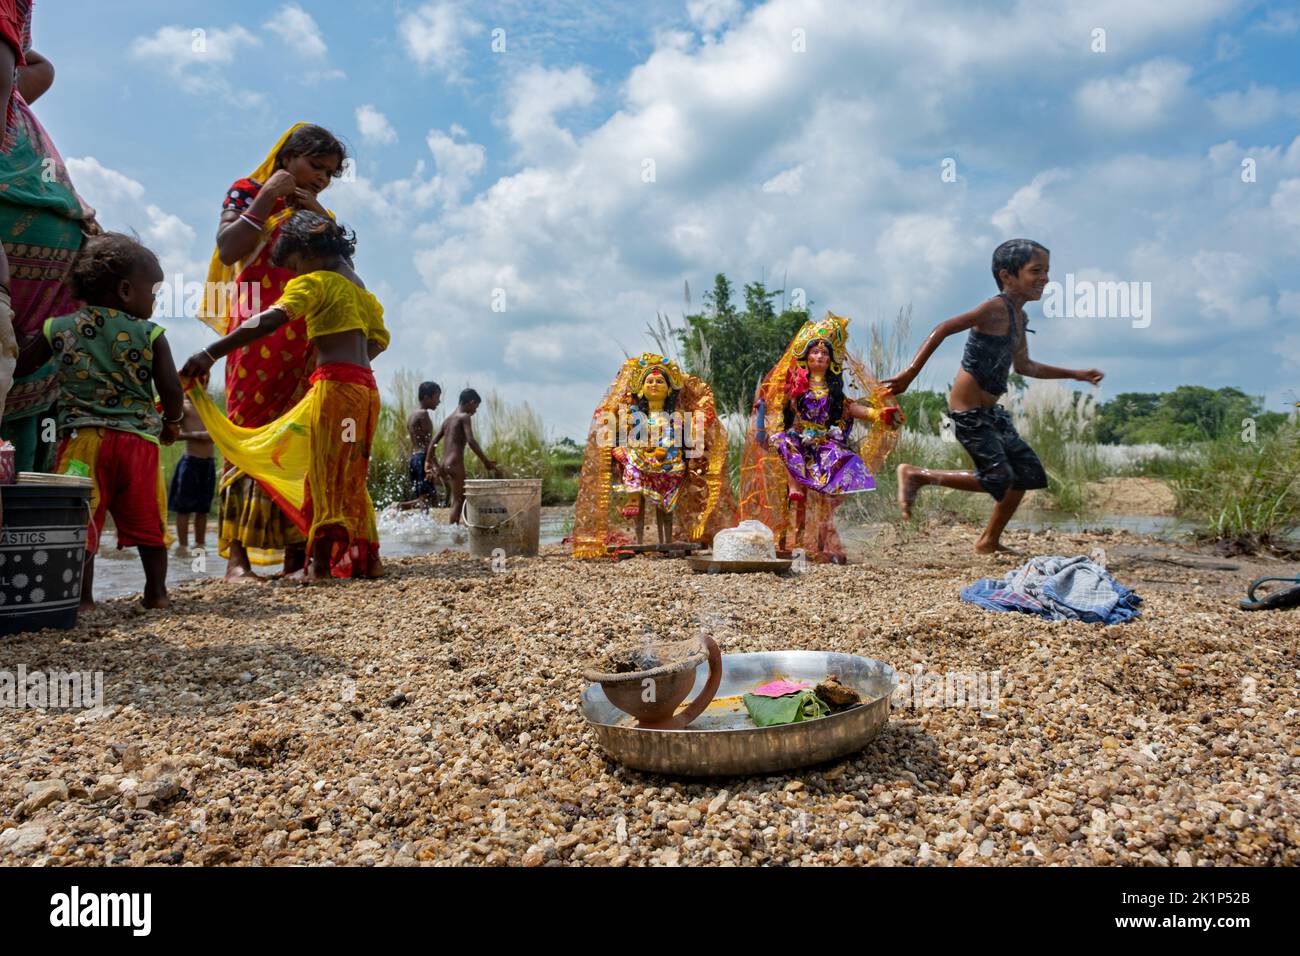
[801,449]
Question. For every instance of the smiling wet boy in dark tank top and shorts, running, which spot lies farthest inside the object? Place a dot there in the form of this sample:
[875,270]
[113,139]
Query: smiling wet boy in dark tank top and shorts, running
[1006,466]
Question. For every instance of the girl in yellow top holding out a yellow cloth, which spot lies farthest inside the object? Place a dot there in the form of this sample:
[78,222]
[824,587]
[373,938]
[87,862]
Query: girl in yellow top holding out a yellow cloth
[315,458]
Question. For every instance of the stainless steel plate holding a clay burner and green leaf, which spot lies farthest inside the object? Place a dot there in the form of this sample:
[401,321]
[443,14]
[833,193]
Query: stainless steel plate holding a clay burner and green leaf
[725,742]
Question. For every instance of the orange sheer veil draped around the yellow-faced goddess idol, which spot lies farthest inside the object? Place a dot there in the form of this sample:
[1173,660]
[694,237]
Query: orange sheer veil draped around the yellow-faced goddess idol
[707,503]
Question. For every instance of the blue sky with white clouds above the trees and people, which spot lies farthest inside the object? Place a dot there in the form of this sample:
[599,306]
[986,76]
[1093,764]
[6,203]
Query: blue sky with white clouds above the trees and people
[578,162]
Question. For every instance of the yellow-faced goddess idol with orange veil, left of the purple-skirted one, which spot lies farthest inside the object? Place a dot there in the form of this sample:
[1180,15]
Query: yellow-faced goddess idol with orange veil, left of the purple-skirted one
[656,442]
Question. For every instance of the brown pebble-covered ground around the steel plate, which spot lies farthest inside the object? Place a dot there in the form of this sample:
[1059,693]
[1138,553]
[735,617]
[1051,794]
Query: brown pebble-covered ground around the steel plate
[432,719]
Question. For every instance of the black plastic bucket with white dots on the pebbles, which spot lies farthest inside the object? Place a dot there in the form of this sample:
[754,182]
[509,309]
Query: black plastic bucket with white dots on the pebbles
[42,552]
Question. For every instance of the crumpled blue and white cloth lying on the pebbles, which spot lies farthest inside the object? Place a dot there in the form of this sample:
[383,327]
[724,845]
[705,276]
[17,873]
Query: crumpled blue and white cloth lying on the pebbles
[1060,590]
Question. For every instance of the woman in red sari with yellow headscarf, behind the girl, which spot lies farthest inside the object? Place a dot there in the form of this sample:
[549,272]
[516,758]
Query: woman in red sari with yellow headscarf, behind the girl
[268,378]
